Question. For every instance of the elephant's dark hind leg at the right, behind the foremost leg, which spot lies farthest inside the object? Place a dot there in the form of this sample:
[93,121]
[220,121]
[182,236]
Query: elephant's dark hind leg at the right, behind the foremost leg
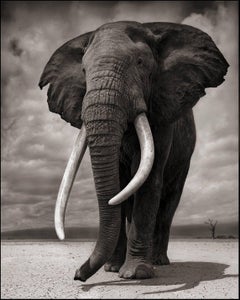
[170,198]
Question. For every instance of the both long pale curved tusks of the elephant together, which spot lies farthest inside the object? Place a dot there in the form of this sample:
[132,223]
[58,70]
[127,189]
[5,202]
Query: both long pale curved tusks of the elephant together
[147,157]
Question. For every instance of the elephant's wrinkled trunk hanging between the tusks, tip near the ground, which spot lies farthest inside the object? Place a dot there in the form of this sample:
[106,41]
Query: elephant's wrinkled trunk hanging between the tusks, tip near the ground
[105,125]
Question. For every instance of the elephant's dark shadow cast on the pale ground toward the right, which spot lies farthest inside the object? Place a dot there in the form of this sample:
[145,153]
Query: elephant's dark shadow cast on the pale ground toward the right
[186,274]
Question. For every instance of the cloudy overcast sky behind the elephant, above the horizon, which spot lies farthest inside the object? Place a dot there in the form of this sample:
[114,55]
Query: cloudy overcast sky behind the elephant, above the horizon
[36,143]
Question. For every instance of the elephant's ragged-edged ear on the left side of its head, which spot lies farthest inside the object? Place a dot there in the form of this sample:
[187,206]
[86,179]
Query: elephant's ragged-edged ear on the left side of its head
[65,74]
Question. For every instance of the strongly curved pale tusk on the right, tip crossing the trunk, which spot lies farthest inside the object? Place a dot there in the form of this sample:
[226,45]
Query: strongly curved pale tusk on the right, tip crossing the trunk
[147,157]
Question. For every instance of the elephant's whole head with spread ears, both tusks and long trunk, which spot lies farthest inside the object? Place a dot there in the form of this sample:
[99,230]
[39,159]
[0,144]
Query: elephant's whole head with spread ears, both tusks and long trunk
[124,72]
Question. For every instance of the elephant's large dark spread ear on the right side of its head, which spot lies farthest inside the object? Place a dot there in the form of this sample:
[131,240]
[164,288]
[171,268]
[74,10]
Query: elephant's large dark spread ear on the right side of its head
[188,62]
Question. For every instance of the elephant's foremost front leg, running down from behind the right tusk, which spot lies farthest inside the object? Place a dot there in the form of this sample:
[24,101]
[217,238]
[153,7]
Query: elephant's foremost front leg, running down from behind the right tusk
[140,238]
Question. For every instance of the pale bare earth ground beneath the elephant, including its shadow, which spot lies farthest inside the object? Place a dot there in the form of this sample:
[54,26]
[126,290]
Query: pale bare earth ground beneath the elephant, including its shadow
[199,269]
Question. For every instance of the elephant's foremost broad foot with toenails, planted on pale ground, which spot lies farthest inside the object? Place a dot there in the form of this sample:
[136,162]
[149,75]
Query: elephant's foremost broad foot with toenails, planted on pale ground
[135,269]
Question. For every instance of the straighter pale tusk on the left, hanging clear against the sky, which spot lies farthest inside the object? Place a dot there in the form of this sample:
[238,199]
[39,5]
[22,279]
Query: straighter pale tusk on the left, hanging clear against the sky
[74,161]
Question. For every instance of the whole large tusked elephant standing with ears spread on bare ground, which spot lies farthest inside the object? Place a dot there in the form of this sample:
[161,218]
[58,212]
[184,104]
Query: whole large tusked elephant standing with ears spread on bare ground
[130,88]
